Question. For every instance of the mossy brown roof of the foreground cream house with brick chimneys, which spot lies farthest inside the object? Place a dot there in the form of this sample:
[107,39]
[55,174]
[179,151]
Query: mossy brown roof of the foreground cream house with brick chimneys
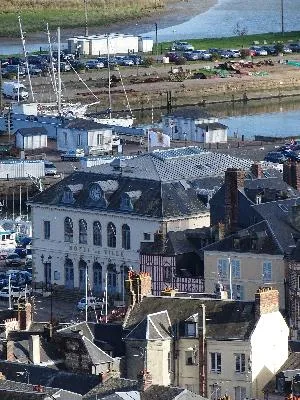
[225,319]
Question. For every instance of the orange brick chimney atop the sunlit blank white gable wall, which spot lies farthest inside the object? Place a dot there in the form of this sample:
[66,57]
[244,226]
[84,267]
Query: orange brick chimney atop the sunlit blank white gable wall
[266,301]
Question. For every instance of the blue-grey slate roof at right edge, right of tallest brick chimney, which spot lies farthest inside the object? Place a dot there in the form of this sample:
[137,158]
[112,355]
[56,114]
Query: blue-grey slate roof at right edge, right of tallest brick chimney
[278,214]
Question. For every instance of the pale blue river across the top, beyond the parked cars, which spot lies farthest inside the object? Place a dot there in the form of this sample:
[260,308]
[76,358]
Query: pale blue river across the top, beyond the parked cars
[254,16]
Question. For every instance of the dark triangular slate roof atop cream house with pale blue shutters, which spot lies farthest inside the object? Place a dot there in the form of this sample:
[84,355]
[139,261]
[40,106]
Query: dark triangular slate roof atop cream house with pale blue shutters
[265,241]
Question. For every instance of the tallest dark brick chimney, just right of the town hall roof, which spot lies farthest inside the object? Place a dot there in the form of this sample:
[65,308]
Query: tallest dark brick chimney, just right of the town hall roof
[234,180]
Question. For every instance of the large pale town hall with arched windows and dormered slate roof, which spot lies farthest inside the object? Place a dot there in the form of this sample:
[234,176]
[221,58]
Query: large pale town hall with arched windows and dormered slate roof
[95,221]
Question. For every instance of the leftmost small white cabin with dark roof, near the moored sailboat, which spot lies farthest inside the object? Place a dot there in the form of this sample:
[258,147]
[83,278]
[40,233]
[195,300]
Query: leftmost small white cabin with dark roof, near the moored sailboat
[31,138]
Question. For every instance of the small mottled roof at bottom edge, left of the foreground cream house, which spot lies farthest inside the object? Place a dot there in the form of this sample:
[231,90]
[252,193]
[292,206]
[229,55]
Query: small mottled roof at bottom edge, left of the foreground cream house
[111,386]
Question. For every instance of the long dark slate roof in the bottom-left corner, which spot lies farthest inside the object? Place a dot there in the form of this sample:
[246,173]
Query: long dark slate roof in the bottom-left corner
[50,377]
